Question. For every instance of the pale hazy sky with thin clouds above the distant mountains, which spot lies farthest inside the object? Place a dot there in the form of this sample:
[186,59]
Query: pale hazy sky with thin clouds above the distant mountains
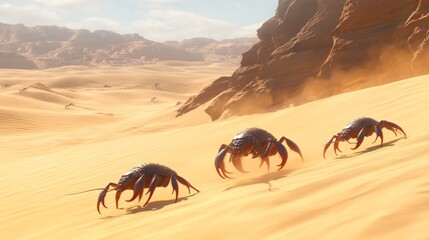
[158,20]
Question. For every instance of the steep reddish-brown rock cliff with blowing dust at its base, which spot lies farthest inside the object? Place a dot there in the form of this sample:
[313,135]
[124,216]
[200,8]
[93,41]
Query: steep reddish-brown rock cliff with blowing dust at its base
[320,42]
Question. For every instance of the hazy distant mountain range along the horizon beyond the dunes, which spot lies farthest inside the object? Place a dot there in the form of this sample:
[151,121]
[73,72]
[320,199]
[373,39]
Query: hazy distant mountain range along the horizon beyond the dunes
[41,47]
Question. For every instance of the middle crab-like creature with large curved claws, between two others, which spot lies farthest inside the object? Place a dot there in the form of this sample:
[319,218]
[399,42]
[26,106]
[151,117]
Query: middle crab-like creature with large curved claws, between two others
[257,142]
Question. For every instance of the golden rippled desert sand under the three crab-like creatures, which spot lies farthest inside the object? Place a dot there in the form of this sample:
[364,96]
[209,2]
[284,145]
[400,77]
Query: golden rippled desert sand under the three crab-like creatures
[50,155]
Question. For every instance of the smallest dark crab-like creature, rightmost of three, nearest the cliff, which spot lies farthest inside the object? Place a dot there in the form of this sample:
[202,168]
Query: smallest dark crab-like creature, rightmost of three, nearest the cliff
[359,128]
